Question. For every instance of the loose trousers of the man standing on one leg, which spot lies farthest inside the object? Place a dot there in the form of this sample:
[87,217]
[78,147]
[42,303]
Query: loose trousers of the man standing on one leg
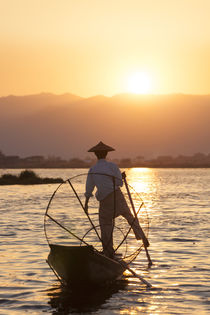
[107,213]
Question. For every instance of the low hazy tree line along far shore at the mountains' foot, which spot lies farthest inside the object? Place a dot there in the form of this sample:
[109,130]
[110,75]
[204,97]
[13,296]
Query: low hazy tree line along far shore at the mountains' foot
[198,160]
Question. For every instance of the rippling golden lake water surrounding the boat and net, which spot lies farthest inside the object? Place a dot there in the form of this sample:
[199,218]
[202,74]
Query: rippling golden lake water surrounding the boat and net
[178,204]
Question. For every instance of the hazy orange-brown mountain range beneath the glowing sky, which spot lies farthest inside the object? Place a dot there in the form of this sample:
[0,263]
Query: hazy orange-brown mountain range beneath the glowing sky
[68,125]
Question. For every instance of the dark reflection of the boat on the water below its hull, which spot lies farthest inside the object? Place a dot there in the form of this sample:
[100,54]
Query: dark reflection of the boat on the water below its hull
[64,300]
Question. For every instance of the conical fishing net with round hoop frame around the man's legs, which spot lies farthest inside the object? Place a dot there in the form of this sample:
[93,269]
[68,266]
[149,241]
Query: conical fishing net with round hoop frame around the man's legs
[66,222]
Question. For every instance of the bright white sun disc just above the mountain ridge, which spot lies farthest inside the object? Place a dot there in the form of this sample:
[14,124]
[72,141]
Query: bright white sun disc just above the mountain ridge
[139,83]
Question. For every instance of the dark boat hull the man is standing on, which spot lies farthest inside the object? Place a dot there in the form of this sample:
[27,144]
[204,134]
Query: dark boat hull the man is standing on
[83,265]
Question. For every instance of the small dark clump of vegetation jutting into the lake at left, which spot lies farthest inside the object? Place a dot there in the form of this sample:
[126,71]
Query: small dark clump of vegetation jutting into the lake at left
[27,177]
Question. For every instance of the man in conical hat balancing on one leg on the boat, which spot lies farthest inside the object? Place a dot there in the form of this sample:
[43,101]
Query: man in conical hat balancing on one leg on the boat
[111,204]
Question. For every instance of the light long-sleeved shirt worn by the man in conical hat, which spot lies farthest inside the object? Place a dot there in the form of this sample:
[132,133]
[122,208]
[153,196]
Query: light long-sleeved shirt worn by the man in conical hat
[103,183]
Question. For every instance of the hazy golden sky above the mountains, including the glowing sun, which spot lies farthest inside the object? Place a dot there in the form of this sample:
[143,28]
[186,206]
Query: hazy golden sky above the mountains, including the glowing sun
[89,47]
